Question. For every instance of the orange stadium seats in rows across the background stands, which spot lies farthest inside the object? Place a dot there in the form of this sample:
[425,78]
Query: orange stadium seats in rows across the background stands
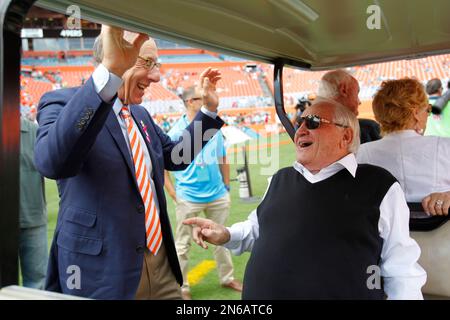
[239,88]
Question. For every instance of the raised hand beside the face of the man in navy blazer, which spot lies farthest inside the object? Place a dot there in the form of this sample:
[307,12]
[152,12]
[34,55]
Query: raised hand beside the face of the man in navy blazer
[119,55]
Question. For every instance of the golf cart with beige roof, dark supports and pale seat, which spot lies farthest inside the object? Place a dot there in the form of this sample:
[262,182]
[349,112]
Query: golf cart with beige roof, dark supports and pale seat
[307,34]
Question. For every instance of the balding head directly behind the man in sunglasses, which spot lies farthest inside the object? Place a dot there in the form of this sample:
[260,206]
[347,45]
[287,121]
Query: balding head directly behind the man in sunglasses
[340,86]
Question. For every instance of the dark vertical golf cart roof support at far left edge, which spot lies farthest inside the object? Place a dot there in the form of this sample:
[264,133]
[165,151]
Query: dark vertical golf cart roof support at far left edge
[12,14]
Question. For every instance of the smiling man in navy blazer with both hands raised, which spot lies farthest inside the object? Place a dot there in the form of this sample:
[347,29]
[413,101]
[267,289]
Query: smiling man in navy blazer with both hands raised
[99,247]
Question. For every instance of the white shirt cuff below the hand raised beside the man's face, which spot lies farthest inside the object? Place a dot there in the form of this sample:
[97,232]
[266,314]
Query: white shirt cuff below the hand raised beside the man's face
[106,83]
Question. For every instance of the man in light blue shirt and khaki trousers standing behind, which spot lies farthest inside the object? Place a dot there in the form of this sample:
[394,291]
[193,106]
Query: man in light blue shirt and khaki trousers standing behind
[202,187]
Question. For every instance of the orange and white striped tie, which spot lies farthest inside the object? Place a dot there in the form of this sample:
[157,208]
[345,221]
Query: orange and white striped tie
[153,234]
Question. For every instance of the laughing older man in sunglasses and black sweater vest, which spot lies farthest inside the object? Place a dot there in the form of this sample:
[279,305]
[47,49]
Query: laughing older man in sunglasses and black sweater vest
[327,228]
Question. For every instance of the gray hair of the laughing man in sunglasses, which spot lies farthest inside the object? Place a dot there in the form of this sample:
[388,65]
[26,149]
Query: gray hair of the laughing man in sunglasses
[342,115]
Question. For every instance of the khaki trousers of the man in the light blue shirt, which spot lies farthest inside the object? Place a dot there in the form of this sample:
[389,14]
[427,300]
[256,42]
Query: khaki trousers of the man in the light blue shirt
[217,211]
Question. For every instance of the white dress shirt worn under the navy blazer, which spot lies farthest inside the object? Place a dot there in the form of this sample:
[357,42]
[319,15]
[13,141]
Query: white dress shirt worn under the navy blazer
[106,85]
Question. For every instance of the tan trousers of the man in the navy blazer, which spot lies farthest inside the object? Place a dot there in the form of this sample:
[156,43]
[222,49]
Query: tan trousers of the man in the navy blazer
[157,279]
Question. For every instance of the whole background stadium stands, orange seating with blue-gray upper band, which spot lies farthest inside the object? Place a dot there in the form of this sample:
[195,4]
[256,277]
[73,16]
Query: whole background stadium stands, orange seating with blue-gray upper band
[239,87]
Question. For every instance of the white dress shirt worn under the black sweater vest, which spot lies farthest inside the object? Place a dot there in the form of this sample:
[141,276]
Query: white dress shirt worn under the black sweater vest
[403,276]
